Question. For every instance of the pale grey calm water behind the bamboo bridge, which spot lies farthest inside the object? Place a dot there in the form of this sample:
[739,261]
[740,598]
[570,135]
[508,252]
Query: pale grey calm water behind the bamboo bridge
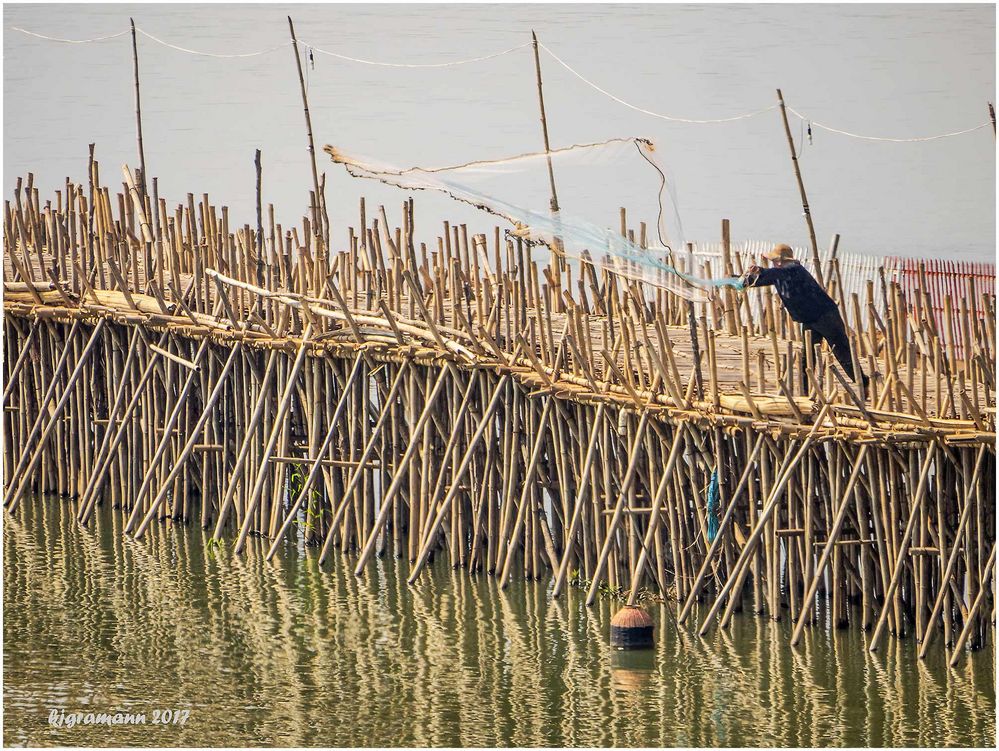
[890,70]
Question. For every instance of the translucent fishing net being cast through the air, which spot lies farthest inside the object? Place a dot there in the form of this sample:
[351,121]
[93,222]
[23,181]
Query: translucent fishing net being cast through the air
[513,188]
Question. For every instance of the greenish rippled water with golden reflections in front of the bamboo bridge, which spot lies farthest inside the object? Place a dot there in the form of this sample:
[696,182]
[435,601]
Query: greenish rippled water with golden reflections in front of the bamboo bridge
[289,654]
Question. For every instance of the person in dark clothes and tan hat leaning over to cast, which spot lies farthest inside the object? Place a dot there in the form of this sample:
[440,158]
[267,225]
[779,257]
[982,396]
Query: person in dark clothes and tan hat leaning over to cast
[806,302]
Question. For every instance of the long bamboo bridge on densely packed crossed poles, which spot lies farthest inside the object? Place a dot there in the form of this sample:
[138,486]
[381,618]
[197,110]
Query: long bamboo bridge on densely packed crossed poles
[482,401]
